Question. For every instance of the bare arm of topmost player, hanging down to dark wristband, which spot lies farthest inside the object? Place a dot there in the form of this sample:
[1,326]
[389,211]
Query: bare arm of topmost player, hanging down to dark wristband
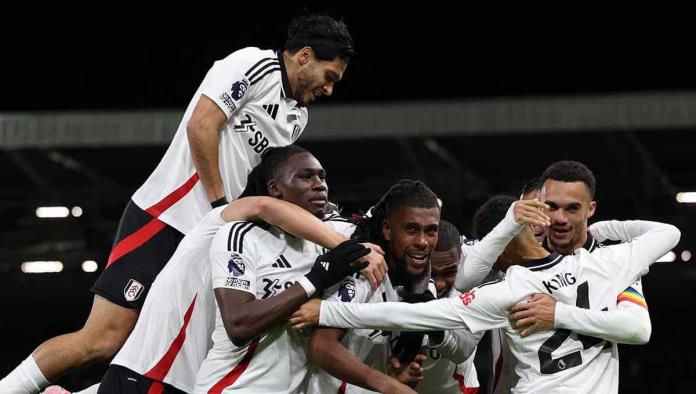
[203,142]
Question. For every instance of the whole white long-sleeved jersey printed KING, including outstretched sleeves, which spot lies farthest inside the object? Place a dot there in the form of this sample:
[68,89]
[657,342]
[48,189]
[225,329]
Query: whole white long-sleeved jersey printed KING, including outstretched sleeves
[550,361]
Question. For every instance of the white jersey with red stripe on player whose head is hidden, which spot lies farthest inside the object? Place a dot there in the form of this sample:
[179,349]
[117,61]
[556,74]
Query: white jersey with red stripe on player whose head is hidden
[172,335]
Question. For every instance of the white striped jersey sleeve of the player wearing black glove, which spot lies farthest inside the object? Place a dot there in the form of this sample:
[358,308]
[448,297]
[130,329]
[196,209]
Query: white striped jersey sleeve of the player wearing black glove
[234,258]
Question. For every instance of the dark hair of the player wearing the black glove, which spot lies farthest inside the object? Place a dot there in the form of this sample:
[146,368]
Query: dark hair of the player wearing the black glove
[272,159]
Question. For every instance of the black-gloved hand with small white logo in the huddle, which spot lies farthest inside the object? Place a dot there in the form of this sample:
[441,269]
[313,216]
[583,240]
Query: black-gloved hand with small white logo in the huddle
[334,265]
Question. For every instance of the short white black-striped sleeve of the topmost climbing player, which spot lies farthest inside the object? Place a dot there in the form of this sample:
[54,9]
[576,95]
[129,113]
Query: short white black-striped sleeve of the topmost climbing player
[228,83]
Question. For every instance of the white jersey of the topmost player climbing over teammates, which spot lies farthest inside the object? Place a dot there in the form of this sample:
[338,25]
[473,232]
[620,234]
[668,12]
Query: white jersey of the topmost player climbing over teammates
[251,87]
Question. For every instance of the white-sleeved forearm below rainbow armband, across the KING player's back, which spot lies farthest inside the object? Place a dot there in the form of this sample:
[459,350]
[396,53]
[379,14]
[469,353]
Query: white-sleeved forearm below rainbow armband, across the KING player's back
[629,325]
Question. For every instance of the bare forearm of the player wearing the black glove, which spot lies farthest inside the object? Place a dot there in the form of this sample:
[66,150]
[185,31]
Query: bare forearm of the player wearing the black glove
[255,317]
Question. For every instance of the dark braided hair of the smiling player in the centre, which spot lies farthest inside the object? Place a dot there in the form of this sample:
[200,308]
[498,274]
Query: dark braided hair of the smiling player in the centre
[405,193]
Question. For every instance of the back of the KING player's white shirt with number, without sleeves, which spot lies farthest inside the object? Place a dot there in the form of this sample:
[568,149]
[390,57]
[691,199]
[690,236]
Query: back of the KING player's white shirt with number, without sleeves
[561,360]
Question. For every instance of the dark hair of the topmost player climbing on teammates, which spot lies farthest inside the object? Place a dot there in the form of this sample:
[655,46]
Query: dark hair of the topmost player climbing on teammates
[328,37]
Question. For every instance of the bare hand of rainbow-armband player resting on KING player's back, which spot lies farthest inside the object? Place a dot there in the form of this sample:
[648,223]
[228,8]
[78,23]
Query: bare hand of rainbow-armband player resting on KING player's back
[533,315]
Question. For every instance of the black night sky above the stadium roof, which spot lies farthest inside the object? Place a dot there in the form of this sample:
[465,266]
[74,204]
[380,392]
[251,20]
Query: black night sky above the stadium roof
[117,58]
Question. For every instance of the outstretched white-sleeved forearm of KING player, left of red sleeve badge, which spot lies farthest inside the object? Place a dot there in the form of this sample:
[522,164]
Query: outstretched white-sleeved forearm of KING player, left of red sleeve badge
[427,316]
